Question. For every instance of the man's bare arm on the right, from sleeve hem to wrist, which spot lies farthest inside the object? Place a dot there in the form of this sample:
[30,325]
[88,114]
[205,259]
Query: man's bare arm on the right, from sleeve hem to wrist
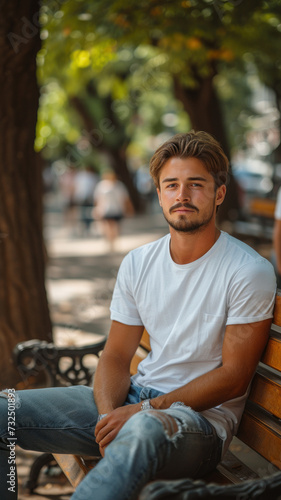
[242,348]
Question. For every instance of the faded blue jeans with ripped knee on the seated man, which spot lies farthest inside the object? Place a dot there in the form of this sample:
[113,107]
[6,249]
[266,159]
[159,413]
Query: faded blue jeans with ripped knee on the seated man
[62,420]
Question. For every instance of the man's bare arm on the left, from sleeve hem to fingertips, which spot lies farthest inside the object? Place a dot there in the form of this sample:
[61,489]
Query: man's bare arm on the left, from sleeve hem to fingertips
[112,381]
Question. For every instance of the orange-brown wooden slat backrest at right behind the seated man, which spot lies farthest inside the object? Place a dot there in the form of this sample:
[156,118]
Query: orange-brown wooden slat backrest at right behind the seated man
[260,427]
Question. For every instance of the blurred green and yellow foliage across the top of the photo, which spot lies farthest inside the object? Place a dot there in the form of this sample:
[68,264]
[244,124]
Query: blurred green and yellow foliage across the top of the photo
[128,52]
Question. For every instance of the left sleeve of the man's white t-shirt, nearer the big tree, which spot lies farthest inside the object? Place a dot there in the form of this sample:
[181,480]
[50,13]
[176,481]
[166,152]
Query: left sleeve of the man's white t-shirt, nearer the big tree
[123,307]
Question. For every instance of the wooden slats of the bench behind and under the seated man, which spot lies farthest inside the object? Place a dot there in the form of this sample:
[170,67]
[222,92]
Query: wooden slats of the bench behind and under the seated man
[260,427]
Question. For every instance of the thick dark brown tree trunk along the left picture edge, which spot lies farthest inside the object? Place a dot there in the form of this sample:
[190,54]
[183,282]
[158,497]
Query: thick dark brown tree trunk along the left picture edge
[24,312]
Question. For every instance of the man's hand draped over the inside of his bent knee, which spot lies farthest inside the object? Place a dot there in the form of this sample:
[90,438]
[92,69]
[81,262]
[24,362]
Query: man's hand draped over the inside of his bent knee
[109,426]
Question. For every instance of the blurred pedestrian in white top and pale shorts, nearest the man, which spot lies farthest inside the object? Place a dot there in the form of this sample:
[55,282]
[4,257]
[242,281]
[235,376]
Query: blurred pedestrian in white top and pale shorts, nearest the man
[112,204]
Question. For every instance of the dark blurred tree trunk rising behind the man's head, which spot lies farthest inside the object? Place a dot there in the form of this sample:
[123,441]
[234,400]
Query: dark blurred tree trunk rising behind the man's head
[203,108]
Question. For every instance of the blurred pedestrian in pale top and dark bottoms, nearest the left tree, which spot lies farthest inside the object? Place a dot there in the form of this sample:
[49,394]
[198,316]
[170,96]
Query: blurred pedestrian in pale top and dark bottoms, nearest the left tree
[85,184]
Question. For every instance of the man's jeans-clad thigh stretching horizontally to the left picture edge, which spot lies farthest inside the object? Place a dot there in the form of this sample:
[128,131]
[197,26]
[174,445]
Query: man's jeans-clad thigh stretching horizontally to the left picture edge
[54,420]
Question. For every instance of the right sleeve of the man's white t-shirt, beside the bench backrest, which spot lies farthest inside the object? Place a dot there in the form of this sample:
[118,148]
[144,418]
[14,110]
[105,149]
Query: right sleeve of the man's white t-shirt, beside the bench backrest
[251,294]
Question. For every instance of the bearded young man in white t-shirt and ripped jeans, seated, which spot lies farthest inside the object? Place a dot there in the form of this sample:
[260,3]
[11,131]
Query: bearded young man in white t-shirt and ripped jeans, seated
[206,300]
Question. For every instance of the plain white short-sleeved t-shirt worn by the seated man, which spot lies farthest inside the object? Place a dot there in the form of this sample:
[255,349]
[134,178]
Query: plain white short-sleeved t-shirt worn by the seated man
[185,309]
